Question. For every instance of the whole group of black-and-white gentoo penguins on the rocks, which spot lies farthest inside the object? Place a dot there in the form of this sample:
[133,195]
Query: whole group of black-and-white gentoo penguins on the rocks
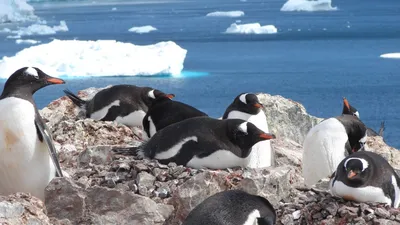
[177,132]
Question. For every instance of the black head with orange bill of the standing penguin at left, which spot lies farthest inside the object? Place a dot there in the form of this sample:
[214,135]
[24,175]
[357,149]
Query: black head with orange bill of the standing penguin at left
[29,80]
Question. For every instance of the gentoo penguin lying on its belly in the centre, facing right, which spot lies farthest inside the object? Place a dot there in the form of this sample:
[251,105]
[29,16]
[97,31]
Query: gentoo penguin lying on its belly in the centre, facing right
[203,142]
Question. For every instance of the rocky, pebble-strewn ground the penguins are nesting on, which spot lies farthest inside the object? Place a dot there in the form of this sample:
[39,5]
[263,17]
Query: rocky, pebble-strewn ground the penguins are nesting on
[104,188]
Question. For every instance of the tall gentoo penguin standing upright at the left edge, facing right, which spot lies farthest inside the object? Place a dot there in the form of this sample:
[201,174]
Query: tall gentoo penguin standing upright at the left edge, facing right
[25,142]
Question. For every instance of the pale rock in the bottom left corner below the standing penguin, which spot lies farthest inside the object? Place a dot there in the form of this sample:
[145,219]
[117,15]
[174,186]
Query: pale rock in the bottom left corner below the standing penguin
[21,208]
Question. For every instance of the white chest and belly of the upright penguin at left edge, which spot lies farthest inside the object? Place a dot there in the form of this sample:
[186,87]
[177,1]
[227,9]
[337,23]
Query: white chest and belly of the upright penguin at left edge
[24,160]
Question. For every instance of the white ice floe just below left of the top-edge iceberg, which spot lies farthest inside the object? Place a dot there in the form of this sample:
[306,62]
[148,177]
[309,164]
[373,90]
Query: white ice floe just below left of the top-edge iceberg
[251,28]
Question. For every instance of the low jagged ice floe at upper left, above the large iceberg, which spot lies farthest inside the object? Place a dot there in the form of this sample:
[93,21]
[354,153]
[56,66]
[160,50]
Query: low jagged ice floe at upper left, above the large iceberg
[39,29]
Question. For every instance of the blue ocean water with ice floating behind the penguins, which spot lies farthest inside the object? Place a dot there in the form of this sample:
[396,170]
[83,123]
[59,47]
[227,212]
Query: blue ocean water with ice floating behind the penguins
[316,58]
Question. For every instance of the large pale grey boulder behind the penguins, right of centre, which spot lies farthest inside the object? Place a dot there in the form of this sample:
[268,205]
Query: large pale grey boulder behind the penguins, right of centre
[286,118]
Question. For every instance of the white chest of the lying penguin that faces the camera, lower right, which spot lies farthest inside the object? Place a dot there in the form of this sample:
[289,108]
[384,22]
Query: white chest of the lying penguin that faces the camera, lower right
[360,194]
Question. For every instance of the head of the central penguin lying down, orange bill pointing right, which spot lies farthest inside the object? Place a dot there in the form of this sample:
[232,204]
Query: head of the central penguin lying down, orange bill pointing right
[246,134]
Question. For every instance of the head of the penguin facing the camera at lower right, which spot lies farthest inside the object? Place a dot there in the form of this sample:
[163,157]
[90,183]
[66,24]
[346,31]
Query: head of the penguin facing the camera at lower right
[356,169]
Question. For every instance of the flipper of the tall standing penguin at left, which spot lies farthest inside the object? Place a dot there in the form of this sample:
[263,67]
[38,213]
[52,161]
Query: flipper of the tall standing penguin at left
[44,135]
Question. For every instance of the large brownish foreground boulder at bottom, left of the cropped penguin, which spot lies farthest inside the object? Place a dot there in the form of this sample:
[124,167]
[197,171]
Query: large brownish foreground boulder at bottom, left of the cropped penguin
[100,205]
